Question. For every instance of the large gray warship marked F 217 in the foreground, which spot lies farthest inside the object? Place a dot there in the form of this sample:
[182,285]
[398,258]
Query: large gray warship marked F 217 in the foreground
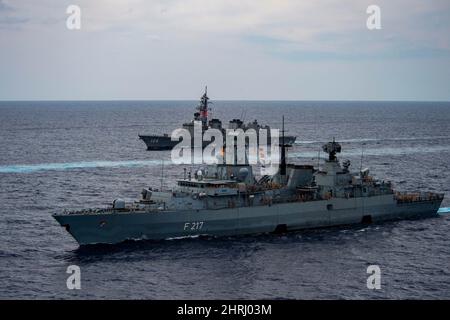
[228,199]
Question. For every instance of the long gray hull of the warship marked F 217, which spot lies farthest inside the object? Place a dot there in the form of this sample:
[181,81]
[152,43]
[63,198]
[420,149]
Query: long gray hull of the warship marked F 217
[118,227]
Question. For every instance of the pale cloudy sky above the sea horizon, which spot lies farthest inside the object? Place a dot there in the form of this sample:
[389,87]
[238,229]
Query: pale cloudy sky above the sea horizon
[241,49]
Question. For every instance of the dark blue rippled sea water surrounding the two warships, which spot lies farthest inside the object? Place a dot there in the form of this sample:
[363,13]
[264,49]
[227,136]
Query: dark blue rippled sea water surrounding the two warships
[57,155]
